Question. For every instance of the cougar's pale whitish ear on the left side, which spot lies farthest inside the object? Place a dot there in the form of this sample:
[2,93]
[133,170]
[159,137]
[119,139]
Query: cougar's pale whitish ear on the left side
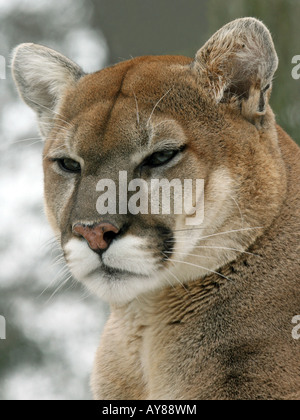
[41,76]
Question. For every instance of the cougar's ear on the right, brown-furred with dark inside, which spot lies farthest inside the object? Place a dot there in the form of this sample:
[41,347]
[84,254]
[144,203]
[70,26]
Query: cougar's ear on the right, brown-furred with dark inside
[238,64]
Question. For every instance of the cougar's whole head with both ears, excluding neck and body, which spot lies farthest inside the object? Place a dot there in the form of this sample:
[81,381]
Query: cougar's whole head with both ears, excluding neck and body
[121,141]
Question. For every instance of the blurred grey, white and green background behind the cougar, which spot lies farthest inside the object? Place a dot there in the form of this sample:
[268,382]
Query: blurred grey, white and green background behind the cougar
[54,325]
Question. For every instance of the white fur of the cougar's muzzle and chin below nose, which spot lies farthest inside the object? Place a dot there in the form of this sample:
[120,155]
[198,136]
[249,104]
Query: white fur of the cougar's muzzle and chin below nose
[124,255]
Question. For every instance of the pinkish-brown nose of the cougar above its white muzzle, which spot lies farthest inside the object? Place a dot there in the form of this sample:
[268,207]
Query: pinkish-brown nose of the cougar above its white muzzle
[98,236]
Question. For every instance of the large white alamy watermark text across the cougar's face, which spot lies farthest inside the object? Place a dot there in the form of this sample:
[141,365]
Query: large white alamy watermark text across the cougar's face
[156,196]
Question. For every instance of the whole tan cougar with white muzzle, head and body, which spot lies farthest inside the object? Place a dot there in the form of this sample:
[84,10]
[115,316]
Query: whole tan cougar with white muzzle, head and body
[200,309]
